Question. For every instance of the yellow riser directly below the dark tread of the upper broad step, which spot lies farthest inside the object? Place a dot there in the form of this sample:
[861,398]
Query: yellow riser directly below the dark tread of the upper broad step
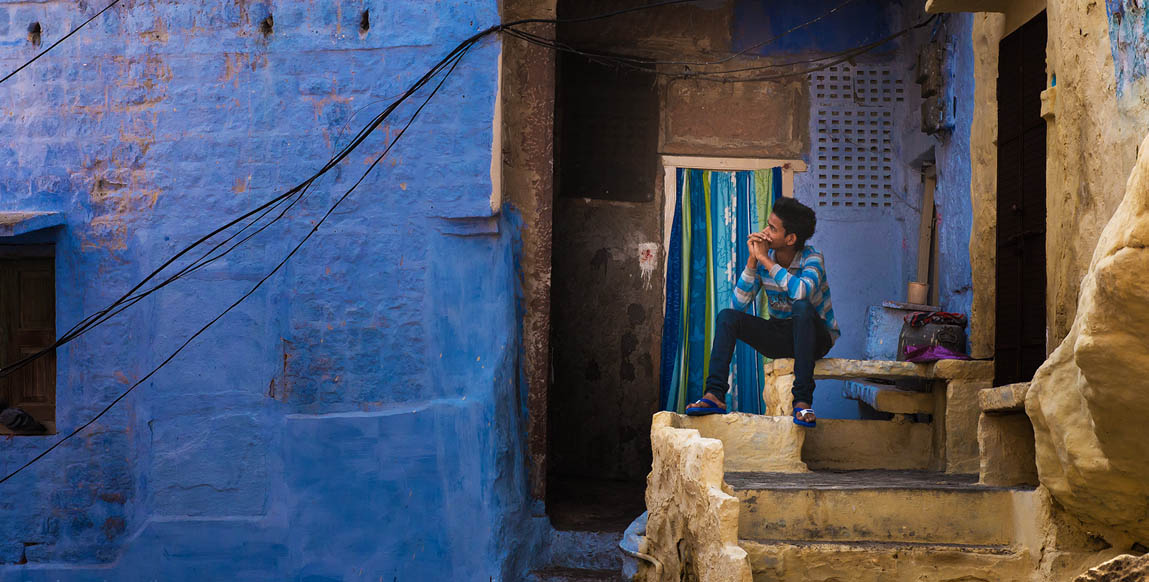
[876,516]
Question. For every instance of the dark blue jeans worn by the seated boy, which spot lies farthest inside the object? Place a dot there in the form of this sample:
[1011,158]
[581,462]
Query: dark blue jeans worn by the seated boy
[803,337]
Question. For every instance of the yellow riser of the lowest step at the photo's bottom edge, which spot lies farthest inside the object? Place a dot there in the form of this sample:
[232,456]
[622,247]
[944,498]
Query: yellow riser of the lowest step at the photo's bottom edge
[819,563]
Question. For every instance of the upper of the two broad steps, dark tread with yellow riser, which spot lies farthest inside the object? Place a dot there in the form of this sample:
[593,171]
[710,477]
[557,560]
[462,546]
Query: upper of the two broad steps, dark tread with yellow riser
[883,507]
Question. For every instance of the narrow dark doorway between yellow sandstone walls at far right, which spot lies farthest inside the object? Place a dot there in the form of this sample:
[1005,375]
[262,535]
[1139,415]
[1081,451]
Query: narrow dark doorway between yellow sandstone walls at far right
[1021,300]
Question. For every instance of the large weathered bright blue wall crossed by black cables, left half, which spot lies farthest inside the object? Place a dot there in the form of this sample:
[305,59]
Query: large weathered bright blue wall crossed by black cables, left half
[358,417]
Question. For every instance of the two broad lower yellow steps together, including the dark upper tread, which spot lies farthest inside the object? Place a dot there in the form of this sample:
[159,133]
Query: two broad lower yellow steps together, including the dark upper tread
[877,525]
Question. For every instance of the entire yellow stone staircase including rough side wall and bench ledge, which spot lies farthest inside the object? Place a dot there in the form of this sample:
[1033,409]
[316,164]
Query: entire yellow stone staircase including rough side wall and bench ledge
[754,498]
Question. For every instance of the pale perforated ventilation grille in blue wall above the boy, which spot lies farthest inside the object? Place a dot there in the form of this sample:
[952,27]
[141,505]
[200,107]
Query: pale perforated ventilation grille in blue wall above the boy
[854,117]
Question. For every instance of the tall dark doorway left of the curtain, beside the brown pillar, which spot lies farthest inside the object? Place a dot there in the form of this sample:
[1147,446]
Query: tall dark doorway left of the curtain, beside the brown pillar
[606,319]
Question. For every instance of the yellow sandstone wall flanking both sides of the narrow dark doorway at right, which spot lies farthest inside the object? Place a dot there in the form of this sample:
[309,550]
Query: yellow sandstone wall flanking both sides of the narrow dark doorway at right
[1091,148]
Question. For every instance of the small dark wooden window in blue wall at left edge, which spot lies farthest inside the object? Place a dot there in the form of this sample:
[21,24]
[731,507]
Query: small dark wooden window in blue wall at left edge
[28,324]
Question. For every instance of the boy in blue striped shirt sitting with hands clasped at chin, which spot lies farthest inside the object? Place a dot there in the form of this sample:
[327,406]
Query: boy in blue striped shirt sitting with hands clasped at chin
[801,324]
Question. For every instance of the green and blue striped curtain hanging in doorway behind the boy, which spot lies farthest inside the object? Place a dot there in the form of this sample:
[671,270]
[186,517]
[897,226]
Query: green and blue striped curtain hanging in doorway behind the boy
[714,214]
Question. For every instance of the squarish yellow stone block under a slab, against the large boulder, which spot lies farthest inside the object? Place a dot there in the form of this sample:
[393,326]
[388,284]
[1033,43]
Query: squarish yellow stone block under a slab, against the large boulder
[1007,451]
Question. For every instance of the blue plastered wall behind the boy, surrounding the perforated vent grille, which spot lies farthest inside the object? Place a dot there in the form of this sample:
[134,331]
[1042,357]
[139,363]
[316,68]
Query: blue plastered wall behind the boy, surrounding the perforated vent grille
[870,255]
